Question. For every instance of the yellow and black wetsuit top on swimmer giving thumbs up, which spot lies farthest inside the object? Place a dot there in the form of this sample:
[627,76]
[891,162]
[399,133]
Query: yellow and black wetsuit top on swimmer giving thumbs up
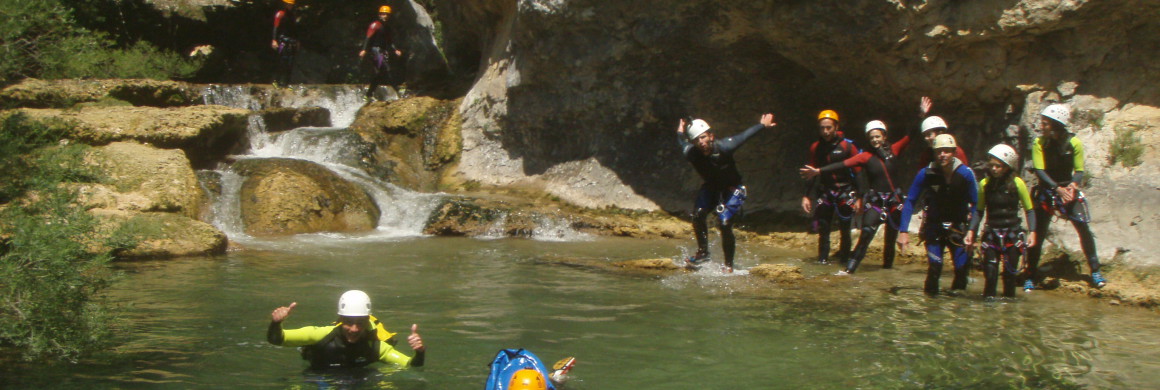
[325,348]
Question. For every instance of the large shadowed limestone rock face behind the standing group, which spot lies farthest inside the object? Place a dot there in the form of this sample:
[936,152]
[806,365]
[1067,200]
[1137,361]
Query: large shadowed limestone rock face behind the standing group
[582,98]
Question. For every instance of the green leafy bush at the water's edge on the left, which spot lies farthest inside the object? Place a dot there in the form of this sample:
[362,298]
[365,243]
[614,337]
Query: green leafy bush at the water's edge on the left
[50,263]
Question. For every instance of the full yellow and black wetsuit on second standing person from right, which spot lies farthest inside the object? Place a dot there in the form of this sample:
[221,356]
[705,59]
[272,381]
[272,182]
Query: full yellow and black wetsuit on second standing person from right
[1002,200]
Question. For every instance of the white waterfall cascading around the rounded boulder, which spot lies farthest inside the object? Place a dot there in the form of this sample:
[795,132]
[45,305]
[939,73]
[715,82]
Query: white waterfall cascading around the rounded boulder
[403,213]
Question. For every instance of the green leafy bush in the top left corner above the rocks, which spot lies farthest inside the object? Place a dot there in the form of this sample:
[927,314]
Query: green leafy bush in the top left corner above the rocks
[40,39]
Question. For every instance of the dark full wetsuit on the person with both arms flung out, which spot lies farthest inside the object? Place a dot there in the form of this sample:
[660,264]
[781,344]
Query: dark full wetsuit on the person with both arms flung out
[722,191]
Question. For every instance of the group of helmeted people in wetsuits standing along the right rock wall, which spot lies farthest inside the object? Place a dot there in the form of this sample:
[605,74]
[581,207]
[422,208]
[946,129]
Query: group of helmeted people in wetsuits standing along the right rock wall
[847,184]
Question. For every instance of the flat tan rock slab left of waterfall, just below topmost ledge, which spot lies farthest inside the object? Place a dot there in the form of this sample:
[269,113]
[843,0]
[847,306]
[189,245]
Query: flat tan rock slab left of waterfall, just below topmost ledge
[206,133]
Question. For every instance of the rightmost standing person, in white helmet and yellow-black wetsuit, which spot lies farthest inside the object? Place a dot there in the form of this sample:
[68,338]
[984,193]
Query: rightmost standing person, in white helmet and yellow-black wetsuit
[1058,161]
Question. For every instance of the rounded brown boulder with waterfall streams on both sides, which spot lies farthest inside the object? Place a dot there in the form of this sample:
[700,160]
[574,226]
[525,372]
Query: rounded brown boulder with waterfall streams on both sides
[286,197]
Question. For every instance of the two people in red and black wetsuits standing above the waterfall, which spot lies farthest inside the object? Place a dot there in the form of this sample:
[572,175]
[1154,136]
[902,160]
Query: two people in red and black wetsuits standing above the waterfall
[379,48]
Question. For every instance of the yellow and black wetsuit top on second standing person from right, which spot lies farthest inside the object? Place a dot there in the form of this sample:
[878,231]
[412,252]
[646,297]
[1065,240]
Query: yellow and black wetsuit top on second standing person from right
[1002,200]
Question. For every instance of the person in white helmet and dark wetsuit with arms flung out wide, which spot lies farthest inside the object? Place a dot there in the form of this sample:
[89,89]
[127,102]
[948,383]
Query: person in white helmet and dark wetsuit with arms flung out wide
[722,191]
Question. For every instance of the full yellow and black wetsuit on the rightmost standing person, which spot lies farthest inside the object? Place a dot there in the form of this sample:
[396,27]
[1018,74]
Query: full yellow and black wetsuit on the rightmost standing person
[1057,164]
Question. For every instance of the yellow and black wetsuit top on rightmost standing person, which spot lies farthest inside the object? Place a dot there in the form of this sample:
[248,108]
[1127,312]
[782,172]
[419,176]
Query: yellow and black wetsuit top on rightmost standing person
[1058,164]
